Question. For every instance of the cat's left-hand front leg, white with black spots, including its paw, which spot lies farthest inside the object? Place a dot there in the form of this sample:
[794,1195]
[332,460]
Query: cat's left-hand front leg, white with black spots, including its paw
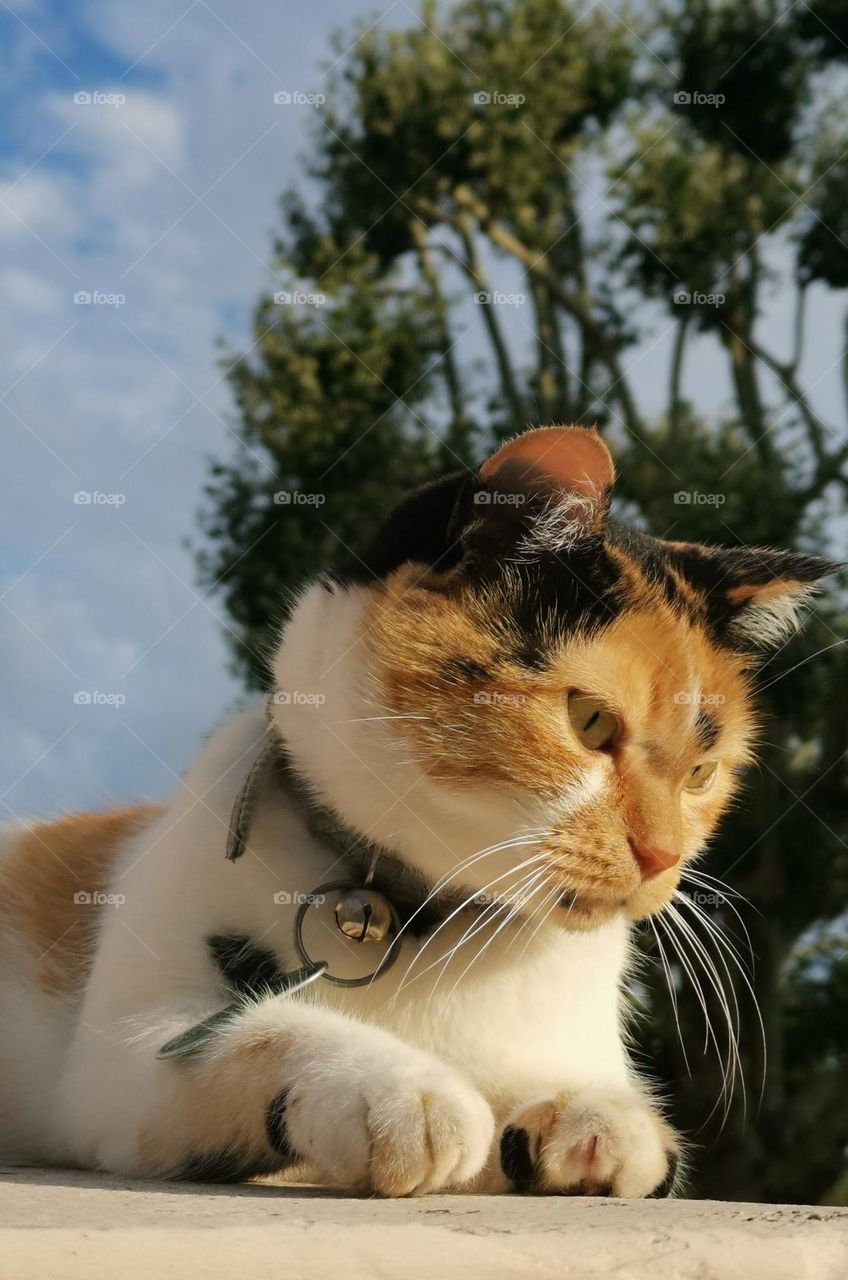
[279,1084]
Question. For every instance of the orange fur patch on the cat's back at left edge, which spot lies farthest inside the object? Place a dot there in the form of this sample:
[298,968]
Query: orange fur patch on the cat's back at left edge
[49,886]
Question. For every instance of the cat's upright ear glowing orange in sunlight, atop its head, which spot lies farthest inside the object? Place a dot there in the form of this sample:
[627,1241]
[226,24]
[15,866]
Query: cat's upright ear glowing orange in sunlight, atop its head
[550,487]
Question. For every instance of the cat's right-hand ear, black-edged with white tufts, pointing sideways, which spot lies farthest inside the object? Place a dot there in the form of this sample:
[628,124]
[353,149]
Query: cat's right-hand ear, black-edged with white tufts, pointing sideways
[756,595]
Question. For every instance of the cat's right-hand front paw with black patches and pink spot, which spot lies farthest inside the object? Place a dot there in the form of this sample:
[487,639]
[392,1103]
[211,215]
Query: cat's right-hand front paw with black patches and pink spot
[591,1144]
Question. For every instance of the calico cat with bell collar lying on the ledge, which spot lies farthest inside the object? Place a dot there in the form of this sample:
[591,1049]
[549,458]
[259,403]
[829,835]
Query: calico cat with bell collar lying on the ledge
[494,743]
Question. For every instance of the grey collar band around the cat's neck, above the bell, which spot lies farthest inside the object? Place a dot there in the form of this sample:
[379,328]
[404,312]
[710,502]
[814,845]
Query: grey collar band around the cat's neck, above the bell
[368,861]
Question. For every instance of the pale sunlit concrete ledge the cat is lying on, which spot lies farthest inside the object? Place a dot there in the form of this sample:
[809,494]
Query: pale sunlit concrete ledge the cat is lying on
[57,1226]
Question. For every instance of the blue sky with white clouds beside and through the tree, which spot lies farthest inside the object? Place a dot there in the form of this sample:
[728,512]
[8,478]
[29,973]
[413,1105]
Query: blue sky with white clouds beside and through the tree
[158,196]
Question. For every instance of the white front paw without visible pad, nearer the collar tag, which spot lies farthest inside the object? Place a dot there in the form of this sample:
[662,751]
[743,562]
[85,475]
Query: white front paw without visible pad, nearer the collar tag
[400,1127]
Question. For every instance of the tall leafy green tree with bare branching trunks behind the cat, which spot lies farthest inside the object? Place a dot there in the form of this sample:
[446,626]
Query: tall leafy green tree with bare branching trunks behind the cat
[461,158]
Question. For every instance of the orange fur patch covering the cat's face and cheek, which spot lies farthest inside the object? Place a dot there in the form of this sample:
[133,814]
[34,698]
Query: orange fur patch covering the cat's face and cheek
[481,717]
